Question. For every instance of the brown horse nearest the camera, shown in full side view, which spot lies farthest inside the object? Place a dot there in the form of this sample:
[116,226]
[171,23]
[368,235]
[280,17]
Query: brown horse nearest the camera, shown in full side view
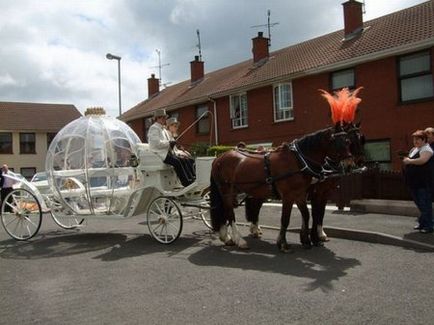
[286,172]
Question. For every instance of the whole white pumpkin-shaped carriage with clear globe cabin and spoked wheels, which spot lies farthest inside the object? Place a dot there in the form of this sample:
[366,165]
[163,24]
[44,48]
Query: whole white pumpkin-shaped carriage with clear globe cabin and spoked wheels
[97,168]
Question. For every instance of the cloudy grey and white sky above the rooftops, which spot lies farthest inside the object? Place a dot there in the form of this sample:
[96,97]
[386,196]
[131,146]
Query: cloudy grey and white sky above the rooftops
[54,51]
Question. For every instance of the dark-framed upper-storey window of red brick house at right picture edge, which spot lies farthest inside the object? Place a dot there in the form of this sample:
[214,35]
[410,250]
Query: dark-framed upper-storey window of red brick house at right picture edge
[415,76]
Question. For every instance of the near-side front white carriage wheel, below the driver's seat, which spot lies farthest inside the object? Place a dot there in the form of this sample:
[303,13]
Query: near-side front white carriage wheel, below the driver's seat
[164,220]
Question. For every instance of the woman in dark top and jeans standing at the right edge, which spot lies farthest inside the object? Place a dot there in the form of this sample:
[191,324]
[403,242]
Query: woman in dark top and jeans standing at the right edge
[418,178]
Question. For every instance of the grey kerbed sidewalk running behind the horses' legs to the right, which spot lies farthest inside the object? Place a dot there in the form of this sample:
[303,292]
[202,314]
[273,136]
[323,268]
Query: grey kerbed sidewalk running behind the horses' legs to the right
[364,226]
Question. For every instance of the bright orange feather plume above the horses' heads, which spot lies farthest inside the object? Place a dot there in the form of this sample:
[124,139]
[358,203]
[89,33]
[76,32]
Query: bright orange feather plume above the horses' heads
[343,104]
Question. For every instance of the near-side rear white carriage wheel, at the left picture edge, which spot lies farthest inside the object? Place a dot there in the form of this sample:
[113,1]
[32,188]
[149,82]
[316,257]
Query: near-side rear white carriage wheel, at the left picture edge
[21,214]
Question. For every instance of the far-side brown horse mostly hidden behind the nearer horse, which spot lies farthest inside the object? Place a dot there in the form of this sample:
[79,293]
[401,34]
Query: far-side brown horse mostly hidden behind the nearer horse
[318,192]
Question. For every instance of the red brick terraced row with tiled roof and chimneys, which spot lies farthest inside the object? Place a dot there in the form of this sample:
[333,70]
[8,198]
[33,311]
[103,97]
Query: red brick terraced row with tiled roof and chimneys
[274,97]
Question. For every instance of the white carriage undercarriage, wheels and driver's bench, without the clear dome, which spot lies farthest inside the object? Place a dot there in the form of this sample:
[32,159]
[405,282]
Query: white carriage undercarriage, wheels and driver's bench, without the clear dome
[159,196]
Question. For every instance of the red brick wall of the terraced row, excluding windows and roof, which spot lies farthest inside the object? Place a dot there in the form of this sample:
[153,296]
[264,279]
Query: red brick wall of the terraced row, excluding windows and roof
[380,112]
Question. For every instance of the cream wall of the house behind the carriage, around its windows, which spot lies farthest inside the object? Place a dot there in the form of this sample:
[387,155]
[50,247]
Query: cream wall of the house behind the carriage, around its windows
[18,161]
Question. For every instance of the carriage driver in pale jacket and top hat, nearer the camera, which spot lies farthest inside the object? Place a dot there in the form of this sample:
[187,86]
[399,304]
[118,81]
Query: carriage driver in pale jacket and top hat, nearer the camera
[162,143]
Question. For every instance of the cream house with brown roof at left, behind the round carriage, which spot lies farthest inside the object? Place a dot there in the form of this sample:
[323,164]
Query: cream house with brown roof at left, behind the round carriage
[26,131]
